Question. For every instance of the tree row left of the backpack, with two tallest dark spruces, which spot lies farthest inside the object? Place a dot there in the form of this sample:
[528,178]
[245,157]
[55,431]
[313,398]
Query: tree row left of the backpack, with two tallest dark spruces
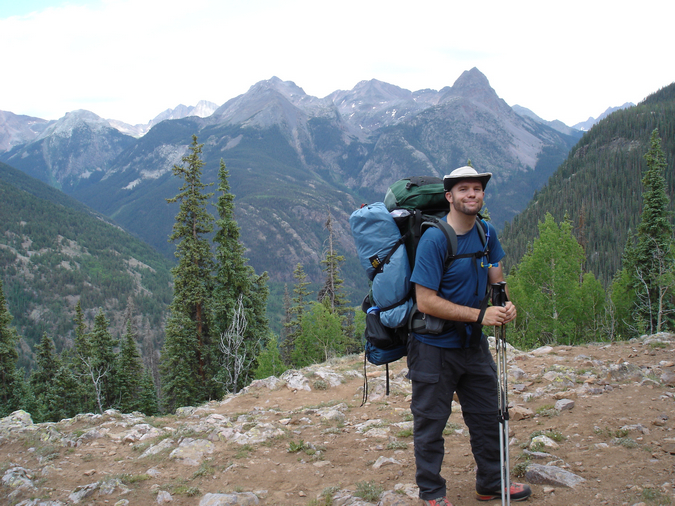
[217,333]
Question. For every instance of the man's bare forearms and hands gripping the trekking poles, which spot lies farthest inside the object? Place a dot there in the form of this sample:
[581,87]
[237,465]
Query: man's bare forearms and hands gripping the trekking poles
[429,302]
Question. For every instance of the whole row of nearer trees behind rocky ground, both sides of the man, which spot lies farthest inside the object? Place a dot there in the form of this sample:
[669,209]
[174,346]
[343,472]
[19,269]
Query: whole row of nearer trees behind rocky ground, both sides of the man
[217,333]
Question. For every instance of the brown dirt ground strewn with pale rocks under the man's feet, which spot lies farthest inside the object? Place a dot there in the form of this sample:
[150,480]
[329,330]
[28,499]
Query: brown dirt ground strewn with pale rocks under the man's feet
[590,425]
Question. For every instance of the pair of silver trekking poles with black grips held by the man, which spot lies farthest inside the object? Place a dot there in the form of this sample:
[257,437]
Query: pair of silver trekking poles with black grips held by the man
[499,299]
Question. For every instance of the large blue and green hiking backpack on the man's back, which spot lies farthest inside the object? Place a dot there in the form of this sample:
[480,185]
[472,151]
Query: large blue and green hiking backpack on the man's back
[386,236]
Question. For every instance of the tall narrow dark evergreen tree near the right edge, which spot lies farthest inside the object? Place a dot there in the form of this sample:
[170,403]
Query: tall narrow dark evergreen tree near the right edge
[651,260]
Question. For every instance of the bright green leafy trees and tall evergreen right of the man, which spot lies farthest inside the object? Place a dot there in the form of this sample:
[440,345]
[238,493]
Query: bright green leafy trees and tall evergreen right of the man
[560,301]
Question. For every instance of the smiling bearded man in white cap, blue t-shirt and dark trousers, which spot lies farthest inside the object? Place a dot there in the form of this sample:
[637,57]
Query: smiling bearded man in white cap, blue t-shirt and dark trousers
[457,358]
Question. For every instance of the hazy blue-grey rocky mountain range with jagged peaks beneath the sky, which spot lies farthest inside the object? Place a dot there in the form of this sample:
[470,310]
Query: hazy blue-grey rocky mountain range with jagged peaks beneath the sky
[293,157]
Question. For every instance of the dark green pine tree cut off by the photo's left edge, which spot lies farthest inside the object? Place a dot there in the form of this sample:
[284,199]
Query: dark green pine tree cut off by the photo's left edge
[11,385]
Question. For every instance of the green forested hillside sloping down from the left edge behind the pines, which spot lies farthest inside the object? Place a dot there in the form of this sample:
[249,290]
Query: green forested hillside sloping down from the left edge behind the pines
[55,252]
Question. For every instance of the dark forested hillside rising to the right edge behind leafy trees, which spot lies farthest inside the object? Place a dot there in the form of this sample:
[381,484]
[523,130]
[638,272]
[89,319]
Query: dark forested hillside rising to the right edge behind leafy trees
[599,186]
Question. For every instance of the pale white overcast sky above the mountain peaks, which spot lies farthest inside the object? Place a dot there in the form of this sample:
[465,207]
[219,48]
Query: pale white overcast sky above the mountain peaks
[130,60]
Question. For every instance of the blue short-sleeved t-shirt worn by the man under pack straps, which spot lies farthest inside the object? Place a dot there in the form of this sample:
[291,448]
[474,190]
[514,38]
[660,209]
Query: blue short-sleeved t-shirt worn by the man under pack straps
[464,283]
